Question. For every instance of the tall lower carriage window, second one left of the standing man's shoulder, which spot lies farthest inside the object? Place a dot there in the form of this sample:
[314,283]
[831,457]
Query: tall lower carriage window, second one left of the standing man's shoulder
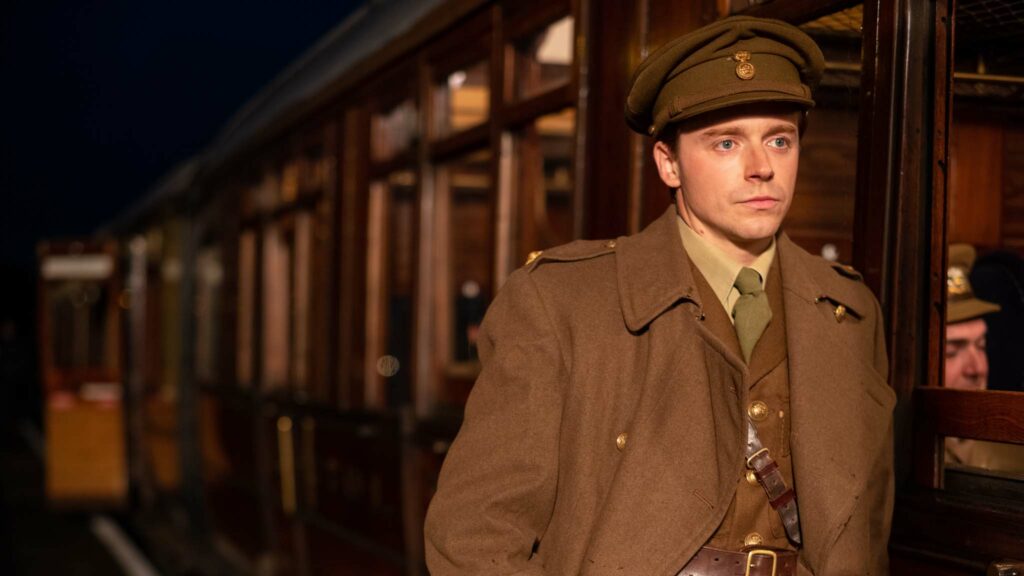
[466,240]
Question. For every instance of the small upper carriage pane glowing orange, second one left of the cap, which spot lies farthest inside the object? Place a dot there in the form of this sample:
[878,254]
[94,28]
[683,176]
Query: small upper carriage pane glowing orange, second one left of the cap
[462,100]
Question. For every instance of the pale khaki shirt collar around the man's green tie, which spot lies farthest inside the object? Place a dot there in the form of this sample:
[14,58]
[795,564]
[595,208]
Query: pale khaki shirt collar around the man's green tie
[718,269]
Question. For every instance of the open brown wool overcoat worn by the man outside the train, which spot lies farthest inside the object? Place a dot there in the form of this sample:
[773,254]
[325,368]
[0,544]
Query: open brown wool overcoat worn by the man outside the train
[594,340]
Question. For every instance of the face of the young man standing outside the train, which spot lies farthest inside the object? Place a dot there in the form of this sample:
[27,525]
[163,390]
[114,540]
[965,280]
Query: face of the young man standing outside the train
[737,172]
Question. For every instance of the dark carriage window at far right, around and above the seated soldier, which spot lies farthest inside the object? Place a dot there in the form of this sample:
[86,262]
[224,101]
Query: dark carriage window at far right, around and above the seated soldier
[986,203]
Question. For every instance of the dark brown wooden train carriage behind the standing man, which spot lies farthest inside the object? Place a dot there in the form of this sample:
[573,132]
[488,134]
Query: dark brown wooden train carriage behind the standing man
[307,294]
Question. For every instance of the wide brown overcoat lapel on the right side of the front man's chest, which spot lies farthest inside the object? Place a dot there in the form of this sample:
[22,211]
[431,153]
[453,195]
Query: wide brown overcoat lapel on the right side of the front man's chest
[840,414]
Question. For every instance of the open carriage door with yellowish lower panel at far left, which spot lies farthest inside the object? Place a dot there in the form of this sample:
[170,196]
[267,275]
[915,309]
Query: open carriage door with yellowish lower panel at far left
[79,326]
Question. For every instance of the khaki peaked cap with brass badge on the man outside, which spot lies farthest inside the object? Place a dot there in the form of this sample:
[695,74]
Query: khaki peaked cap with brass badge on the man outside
[736,61]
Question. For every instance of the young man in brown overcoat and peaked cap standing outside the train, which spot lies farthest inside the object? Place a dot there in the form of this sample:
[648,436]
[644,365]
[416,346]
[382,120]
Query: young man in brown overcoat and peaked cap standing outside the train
[703,398]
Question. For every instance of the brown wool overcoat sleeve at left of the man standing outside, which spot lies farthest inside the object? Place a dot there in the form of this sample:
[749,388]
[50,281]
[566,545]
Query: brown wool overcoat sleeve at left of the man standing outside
[497,487]
